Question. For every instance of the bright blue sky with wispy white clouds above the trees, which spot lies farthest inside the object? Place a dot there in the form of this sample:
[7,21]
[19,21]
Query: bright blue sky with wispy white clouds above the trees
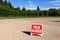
[32,4]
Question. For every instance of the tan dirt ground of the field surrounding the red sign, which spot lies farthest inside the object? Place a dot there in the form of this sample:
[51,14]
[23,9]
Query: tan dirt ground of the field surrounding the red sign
[18,29]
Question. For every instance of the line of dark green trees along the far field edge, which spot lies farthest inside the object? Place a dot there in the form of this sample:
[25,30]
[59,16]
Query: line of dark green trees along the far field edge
[7,10]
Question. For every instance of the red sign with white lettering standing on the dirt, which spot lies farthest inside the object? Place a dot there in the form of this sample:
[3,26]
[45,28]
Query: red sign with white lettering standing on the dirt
[36,29]
